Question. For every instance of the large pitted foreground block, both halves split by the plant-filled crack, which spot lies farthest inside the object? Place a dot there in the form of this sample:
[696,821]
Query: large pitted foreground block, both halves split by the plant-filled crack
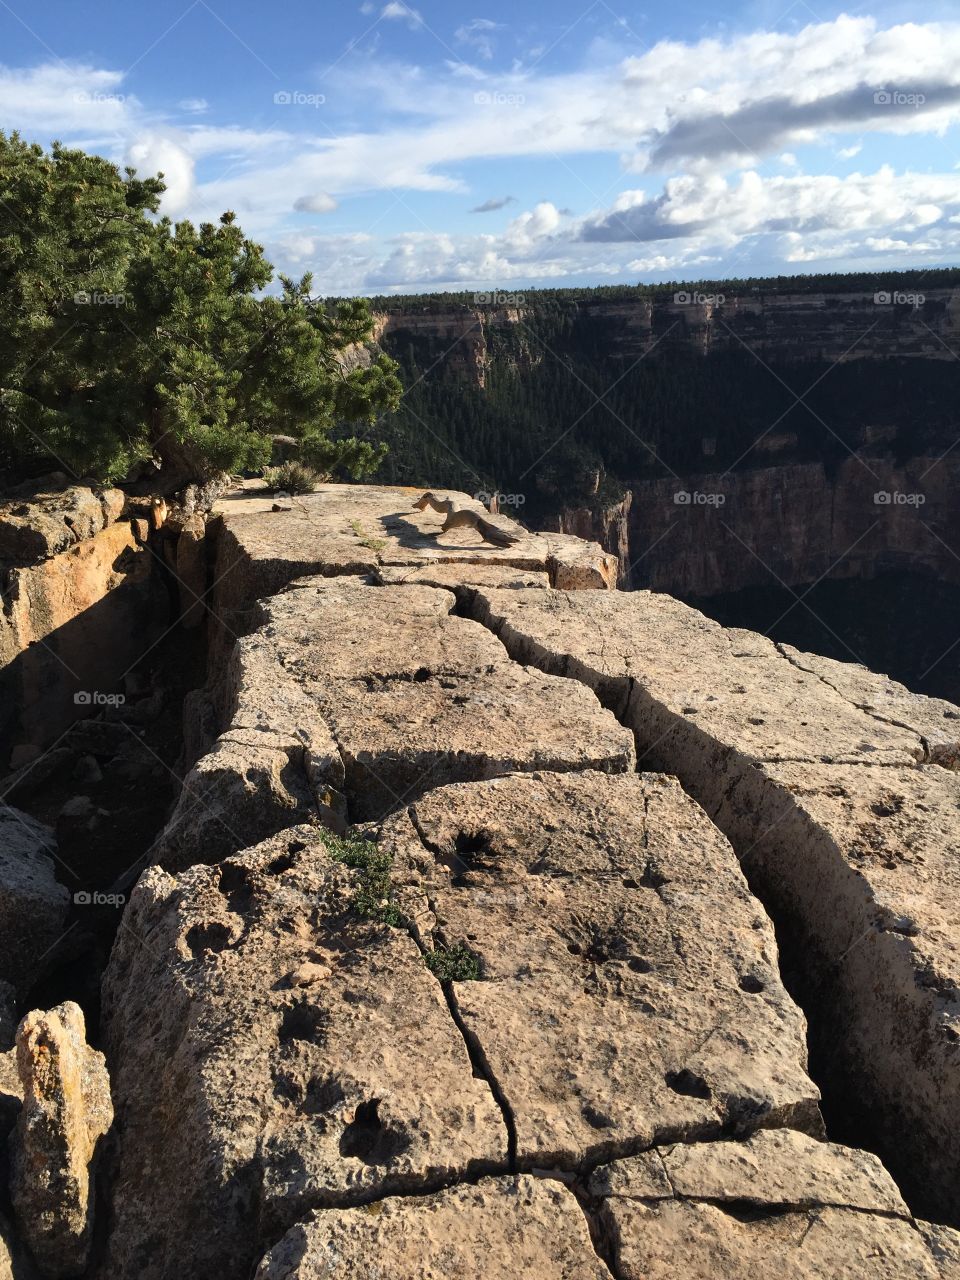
[276,1053]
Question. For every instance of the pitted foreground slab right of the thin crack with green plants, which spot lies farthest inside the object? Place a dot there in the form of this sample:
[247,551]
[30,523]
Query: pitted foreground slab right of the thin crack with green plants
[629,990]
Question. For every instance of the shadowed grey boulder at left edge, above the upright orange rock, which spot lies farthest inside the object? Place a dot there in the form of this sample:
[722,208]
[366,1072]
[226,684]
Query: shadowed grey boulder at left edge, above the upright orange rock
[33,903]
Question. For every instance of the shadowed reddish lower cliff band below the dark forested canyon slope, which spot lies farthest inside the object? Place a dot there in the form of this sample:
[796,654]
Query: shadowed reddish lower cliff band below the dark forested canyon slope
[715,534]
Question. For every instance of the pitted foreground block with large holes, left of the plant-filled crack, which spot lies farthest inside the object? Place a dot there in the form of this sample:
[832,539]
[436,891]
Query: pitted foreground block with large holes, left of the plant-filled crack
[272,1053]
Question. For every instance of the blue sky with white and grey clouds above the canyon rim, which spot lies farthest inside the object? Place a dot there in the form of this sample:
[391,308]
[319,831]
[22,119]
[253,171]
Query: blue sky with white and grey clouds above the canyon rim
[392,148]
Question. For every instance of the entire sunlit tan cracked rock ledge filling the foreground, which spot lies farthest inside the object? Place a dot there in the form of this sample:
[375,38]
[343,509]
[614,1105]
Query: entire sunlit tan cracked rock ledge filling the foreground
[458,954]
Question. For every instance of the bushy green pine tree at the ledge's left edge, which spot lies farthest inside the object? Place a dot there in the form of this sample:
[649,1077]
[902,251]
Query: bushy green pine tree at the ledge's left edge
[125,337]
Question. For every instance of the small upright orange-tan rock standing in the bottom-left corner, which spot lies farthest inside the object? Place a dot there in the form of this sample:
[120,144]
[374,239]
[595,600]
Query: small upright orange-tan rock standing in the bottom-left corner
[67,1110]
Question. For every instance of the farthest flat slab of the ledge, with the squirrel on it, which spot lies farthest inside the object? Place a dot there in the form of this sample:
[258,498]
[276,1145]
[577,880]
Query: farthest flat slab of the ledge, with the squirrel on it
[354,529]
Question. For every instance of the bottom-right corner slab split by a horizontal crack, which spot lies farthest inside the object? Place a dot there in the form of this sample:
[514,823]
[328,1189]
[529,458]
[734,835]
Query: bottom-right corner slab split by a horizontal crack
[778,1206]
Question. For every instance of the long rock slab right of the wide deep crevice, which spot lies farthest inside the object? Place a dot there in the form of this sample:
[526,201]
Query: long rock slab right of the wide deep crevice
[849,840]
